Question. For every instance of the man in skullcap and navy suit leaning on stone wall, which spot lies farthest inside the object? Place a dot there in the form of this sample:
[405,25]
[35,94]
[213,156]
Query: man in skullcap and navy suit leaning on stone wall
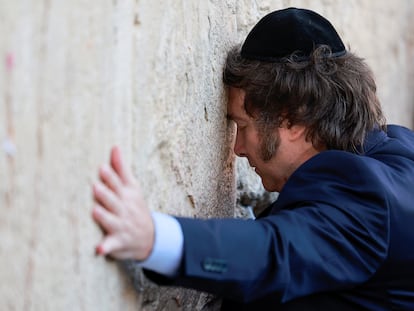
[339,235]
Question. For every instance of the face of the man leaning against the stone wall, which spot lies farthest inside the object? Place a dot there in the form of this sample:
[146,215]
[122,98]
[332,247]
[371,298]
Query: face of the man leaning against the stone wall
[290,146]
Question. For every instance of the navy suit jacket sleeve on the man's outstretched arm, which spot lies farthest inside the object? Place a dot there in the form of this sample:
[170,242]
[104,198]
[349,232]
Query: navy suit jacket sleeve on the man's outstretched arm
[330,233]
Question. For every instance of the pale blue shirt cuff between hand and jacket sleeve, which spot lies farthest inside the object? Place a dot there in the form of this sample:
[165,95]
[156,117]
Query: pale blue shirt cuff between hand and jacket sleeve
[167,251]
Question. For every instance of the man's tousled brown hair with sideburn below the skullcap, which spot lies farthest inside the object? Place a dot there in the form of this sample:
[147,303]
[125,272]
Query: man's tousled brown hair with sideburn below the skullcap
[333,97]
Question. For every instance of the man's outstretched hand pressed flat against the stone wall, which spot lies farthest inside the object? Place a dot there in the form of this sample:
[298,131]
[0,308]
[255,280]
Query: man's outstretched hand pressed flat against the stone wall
[122,212]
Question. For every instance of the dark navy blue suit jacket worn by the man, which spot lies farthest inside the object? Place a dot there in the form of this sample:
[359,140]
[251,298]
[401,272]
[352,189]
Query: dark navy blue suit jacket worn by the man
[339,237]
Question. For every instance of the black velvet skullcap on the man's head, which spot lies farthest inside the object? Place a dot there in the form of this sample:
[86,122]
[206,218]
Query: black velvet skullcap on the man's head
[281,33]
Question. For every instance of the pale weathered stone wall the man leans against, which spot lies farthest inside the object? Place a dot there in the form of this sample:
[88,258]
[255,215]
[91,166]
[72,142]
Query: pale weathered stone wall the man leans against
[80,76]
